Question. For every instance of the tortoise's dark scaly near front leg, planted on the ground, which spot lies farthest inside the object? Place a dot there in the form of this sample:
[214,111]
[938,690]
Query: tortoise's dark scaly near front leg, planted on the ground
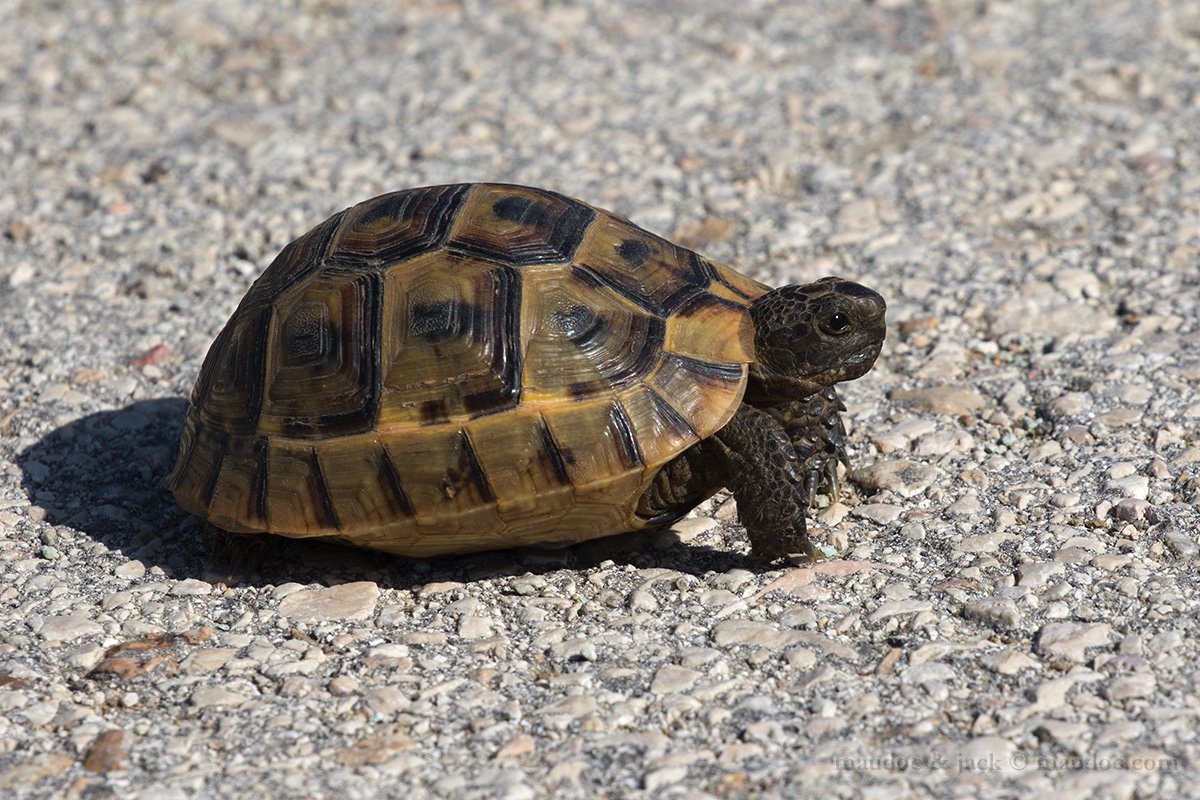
[769,480]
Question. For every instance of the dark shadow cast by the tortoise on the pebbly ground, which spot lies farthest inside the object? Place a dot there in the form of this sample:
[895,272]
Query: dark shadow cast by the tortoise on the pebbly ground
[104,476]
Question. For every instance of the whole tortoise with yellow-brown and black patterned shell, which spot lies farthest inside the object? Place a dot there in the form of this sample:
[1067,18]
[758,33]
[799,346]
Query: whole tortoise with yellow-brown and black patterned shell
[481,366]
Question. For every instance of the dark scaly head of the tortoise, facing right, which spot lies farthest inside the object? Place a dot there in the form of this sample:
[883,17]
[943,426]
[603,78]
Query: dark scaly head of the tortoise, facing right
[812,336]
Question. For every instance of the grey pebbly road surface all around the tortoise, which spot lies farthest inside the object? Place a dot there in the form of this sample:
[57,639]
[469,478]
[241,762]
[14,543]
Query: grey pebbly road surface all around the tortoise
[1013,607]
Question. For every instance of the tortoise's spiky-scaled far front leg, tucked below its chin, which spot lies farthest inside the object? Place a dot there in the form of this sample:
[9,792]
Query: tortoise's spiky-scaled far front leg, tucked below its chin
[815,430]
